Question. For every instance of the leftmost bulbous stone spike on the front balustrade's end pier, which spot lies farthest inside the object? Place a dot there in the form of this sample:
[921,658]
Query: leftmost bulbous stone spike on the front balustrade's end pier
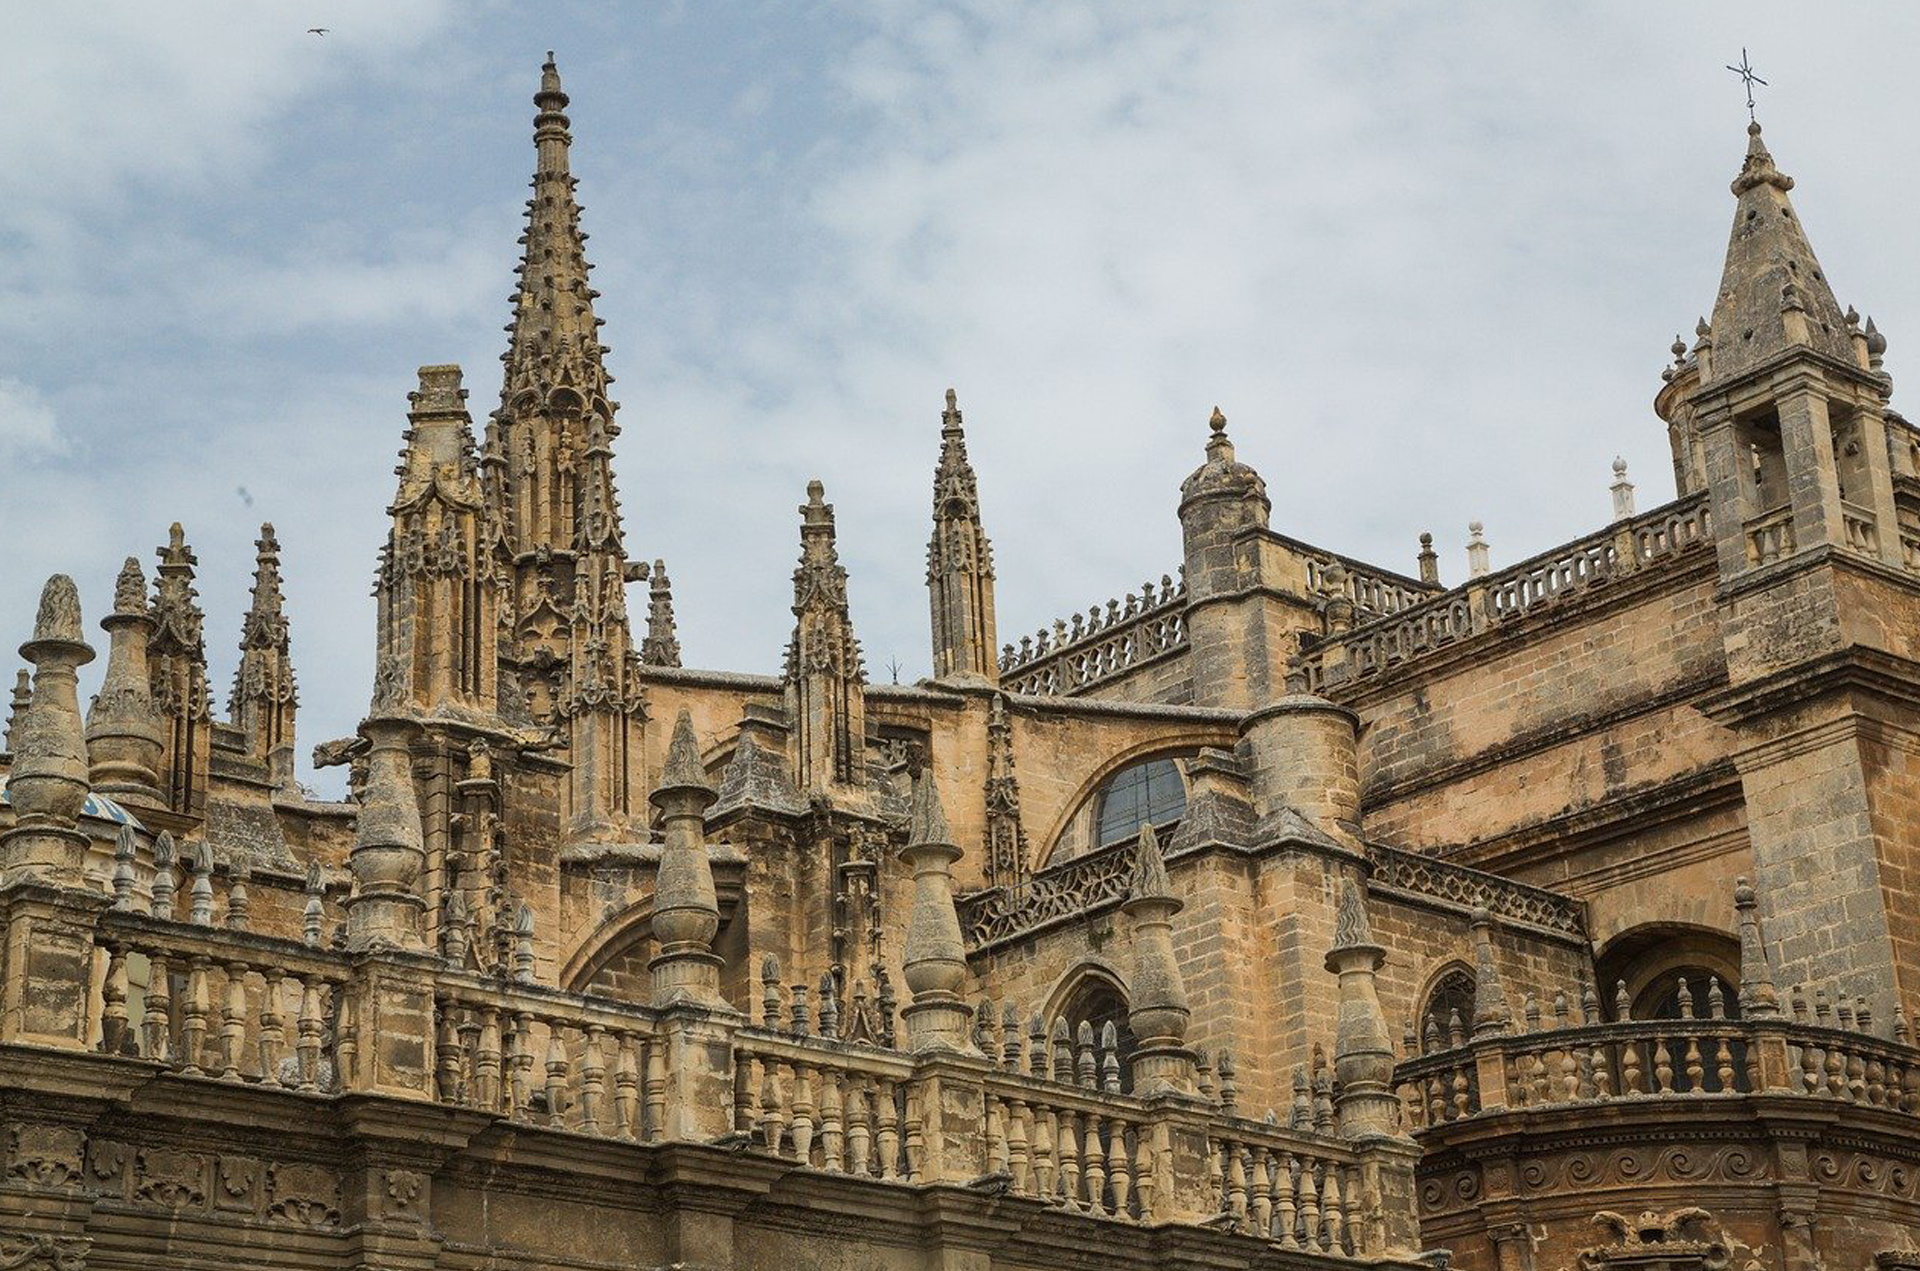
[47,784]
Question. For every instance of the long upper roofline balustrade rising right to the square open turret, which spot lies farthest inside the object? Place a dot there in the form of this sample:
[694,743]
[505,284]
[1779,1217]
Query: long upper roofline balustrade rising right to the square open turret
[1650,540]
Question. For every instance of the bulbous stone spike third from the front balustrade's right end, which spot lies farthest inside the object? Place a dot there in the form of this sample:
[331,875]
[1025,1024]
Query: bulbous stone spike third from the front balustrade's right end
[934,955]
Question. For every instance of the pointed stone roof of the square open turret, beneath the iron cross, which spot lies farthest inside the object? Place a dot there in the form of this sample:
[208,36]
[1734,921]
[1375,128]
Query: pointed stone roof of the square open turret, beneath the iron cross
[1773,291]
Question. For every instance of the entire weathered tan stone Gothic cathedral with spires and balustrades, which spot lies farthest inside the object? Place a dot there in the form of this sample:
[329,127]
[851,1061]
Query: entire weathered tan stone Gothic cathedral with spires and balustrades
[1285,913]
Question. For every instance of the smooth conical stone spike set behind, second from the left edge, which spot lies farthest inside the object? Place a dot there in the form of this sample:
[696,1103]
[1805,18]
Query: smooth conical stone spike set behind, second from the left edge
[124,732]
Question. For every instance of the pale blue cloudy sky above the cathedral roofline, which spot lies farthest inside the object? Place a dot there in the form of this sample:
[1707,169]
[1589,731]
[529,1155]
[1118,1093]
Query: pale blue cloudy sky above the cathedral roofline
[1426,258]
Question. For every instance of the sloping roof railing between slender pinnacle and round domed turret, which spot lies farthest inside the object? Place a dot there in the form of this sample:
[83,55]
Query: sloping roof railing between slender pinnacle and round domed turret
[1099,644]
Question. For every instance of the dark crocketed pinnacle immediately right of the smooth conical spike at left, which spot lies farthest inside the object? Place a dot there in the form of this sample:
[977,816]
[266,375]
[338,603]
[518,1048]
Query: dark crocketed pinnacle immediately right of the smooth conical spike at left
[178,665]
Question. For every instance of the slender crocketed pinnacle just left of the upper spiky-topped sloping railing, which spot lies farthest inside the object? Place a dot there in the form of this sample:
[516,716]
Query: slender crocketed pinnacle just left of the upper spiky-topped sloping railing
[959,565]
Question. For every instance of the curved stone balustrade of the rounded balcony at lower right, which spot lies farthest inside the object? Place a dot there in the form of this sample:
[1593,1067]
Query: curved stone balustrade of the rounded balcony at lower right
[1658,1059]
